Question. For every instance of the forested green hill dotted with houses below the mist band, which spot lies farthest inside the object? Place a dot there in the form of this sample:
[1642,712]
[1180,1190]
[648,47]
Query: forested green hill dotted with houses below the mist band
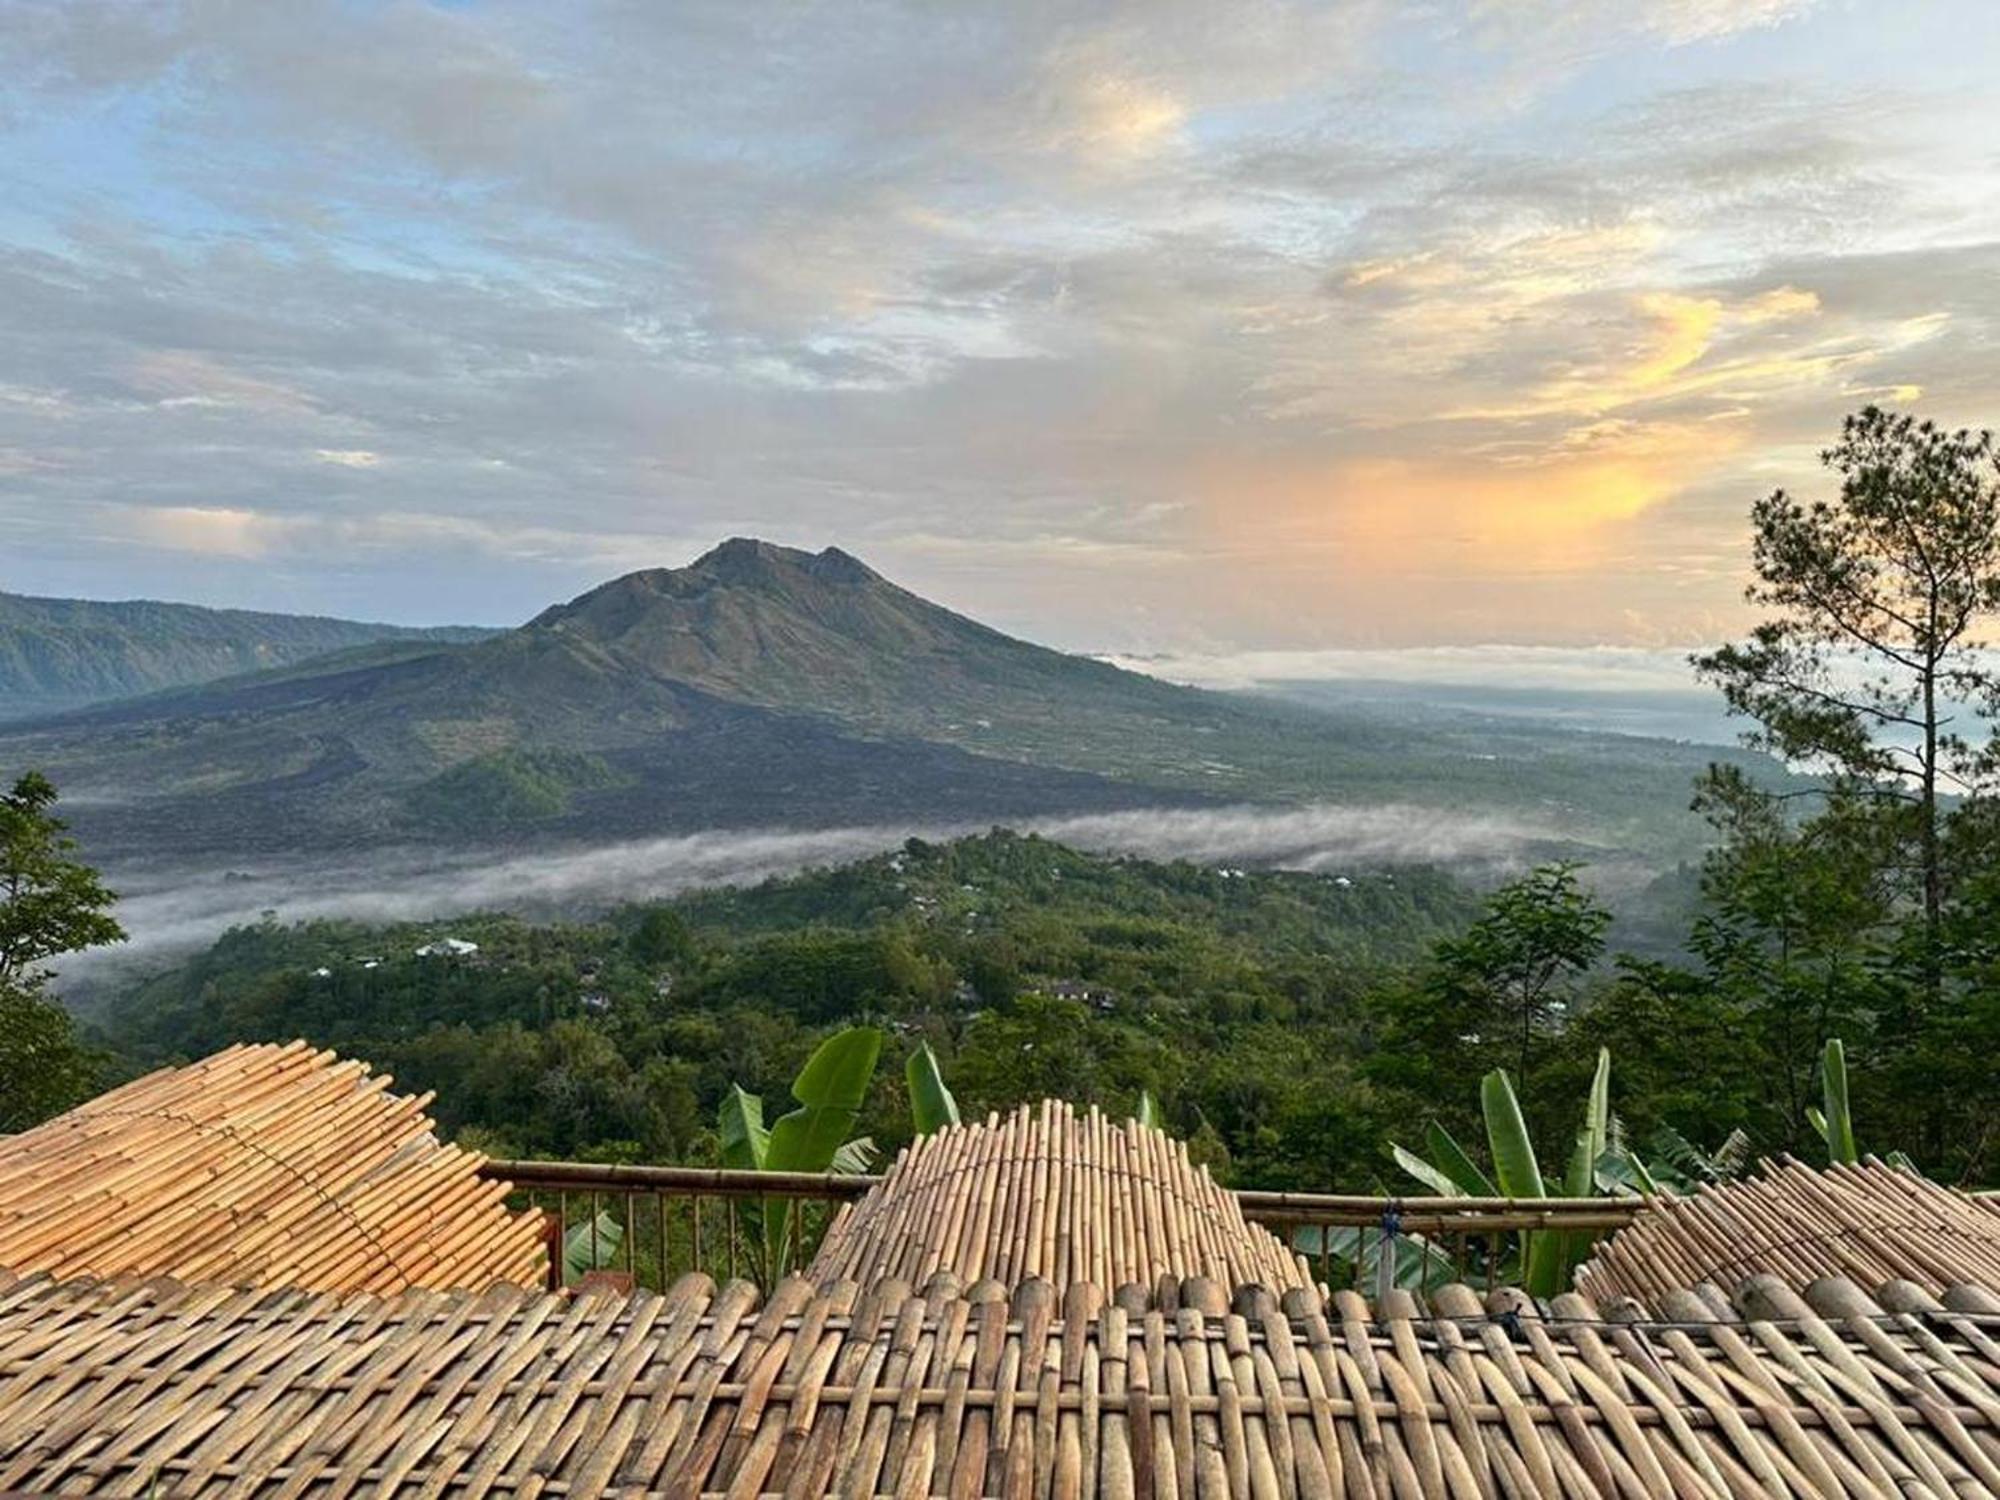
[1033,967]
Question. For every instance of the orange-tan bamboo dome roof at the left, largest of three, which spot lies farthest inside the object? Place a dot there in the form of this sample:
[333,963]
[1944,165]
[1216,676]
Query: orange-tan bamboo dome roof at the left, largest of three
[261,1165]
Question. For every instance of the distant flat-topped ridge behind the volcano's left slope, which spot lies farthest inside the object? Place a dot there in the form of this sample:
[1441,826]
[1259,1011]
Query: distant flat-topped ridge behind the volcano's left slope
[65,653]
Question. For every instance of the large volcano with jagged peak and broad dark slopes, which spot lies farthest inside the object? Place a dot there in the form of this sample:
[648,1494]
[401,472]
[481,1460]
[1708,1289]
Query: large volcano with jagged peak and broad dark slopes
[769,687]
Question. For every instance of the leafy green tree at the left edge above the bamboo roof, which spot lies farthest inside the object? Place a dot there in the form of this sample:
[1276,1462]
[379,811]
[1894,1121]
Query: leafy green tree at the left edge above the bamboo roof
[49,905]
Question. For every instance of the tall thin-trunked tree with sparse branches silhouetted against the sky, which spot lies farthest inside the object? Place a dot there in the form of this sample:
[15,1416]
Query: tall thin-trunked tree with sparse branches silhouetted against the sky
[1871,657]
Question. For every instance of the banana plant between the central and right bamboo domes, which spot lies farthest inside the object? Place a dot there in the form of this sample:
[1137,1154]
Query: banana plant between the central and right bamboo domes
[1547,1259]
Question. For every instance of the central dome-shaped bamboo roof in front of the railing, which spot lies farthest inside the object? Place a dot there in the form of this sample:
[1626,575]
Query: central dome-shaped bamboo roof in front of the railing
[1049,1193]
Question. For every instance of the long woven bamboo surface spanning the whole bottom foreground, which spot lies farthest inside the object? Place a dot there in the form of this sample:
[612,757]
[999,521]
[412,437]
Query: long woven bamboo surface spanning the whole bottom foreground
[155,1389]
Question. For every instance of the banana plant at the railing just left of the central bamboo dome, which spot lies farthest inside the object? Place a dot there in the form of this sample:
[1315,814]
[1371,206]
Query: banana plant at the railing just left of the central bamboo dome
[811,1139]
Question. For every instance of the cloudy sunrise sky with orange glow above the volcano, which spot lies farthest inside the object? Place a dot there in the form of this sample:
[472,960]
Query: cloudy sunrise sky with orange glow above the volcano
[1135,327]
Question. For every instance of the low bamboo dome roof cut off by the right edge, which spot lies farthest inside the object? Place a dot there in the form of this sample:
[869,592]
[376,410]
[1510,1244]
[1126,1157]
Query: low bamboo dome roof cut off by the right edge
[1869,1223]
